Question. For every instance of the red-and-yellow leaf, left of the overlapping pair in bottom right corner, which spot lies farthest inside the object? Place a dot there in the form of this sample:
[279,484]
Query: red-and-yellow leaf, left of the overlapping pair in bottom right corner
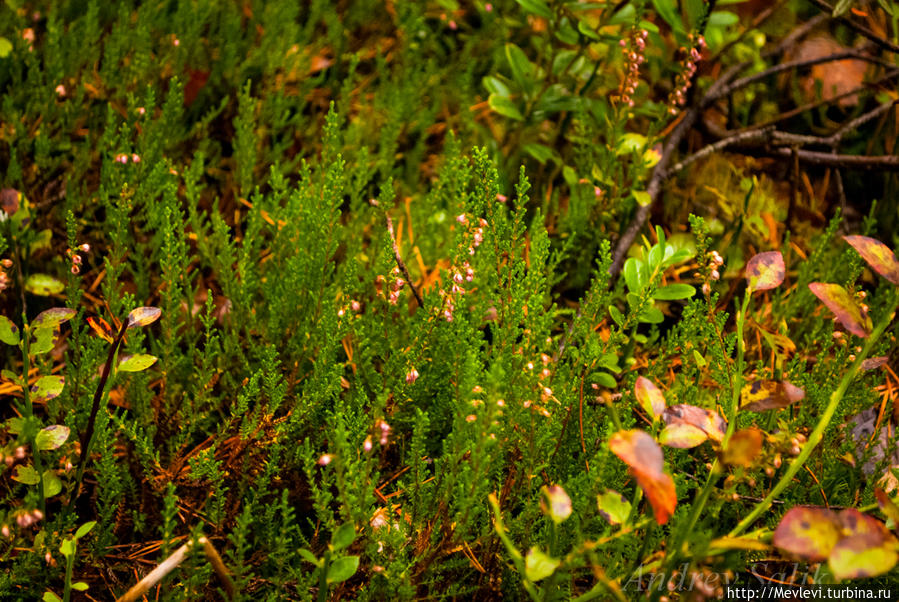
[807,533]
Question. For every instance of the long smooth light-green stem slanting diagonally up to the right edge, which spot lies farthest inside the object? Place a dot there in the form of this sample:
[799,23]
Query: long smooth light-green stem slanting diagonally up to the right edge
[818,434]
